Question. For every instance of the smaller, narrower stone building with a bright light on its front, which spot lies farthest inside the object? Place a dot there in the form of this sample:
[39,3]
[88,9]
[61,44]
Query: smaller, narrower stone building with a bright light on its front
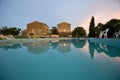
[64,29]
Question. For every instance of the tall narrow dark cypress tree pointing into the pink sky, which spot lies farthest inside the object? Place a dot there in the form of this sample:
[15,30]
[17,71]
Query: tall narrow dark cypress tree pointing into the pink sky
[92,28]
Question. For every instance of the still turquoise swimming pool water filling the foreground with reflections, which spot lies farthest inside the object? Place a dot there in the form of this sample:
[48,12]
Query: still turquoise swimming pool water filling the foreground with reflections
[72,59]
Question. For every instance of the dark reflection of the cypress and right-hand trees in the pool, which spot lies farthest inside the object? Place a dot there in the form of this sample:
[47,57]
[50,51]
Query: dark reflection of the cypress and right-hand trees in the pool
[103,48]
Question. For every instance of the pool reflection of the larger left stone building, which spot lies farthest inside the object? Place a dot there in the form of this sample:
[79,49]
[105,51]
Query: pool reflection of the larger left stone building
[38,47]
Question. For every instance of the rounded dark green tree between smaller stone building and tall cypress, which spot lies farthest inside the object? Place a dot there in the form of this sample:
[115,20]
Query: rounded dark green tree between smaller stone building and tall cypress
[79,32]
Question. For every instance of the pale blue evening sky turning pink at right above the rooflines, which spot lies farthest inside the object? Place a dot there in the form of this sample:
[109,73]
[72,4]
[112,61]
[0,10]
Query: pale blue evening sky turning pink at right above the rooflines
[18,13]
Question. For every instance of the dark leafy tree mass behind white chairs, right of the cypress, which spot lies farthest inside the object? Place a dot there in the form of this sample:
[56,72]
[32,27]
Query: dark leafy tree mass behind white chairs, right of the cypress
[113,25]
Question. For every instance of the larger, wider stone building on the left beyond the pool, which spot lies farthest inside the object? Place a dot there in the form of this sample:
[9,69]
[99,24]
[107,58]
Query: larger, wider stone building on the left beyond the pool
[36,29]
